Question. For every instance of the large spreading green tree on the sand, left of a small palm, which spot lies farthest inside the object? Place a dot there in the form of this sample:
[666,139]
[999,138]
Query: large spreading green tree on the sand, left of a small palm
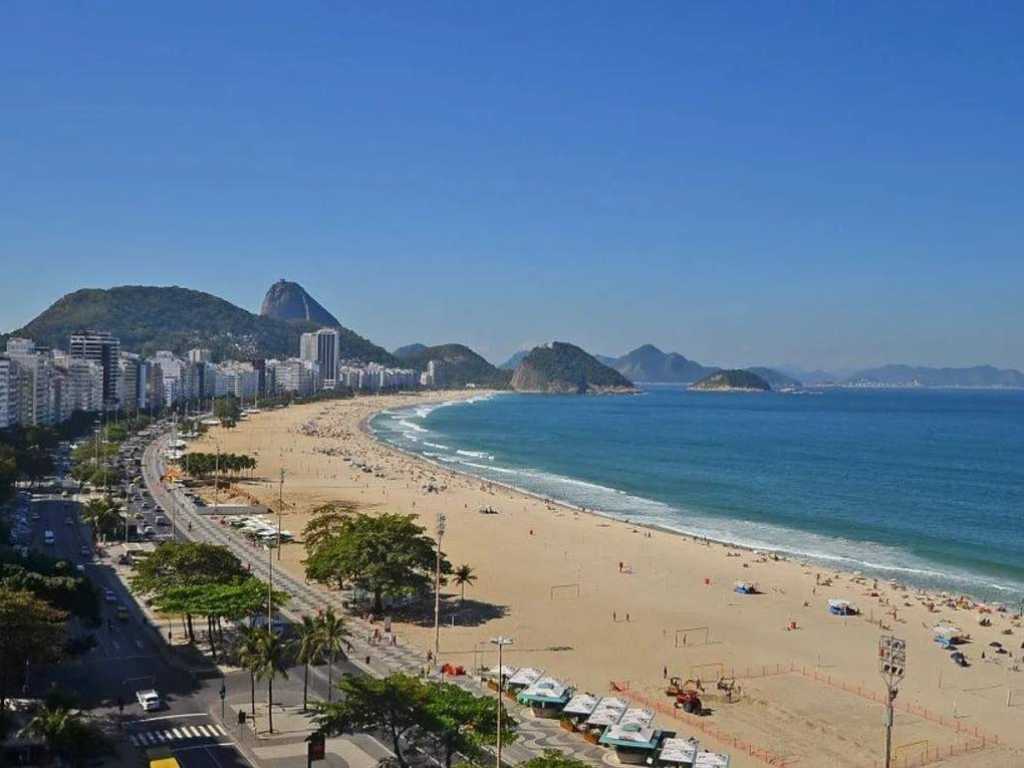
[387,556]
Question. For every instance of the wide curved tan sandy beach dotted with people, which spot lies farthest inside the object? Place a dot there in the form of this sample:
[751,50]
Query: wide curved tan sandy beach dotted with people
[601,603]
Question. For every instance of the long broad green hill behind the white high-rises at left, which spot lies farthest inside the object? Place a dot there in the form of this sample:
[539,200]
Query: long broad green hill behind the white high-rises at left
[147,319]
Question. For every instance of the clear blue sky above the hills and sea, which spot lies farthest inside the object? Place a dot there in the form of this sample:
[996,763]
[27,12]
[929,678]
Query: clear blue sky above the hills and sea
[834,185]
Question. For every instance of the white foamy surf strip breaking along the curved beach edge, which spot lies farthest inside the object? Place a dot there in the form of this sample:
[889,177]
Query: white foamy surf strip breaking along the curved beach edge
[844,566]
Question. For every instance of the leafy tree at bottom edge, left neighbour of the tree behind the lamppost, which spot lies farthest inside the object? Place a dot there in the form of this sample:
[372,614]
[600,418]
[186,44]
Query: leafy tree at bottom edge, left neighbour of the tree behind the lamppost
[395,705]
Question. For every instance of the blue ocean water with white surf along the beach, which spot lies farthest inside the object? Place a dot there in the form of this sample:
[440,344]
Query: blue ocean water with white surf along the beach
[923,487]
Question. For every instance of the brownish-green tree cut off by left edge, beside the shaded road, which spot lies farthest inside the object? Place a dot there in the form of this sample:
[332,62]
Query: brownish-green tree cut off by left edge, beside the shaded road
[31,632]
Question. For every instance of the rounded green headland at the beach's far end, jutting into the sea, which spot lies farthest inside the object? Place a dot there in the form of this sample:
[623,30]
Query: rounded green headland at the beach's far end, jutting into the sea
[563,368]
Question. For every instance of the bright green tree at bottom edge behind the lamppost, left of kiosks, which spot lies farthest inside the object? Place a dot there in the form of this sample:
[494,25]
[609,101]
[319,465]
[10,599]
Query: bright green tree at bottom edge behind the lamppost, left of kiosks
[464,723]
